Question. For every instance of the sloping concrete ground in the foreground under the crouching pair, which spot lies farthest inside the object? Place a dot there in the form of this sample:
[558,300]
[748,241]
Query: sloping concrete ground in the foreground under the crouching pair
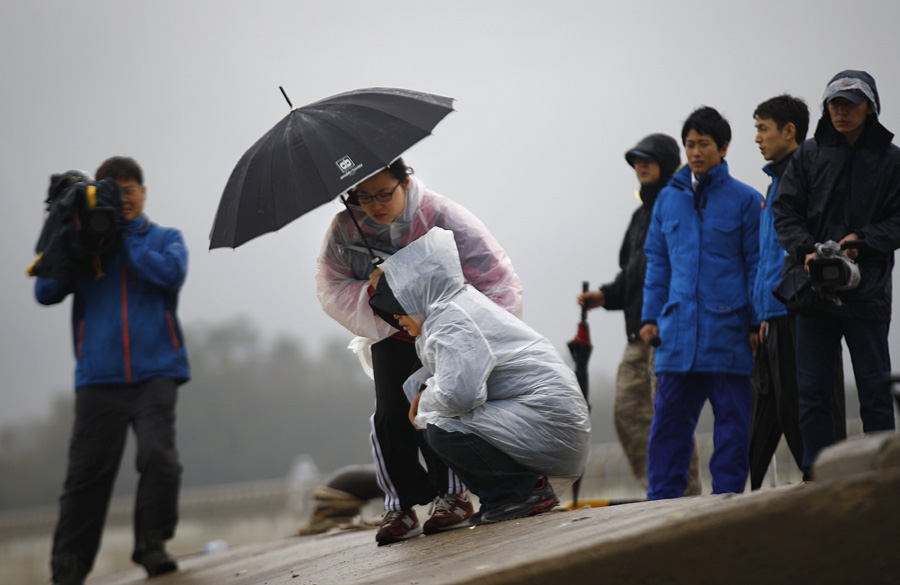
[844,528]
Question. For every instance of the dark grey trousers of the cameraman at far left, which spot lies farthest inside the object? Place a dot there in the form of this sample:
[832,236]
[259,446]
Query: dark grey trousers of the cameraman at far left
[103,414]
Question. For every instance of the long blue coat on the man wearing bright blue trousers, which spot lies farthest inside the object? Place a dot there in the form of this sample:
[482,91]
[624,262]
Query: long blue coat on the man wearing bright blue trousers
[700,271]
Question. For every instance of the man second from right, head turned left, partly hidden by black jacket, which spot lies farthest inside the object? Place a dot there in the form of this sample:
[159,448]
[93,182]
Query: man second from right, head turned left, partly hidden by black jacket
[781,125]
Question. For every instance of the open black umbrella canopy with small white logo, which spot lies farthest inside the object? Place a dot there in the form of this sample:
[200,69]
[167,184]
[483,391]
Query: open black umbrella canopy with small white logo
[316,153]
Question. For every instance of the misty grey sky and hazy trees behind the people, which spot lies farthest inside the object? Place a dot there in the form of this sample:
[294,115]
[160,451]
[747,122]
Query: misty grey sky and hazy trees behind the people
[549,97]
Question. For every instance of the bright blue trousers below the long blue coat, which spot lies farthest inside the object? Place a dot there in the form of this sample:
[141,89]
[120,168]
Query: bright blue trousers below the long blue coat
[679,400]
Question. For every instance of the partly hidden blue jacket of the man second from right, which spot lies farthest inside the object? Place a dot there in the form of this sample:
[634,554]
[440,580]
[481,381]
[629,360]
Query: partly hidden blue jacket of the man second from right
[771,254]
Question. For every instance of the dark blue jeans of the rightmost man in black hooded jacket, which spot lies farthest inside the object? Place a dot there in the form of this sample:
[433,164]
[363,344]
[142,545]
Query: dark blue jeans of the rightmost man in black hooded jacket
[820,335]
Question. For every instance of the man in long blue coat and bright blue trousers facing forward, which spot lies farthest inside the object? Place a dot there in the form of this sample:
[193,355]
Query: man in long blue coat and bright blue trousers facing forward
[702,253]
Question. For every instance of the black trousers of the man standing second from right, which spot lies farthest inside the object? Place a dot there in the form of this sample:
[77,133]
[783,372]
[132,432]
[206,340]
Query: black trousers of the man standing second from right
[776,406]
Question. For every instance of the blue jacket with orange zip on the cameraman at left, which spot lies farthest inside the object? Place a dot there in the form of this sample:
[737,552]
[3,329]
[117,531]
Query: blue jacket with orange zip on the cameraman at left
[124,324]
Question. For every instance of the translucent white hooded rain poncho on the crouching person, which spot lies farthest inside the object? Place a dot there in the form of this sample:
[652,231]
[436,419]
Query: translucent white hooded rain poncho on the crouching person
[486,372]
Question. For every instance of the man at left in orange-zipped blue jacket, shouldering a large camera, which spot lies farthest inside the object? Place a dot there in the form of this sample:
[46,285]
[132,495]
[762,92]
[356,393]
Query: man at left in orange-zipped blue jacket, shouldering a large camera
[130,360]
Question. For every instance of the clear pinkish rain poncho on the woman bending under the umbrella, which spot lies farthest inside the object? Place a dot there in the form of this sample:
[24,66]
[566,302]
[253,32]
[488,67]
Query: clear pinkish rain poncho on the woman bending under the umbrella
[342,275]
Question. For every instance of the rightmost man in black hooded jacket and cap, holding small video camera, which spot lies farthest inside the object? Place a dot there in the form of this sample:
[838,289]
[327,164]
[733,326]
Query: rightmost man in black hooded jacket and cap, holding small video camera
[843,185]
